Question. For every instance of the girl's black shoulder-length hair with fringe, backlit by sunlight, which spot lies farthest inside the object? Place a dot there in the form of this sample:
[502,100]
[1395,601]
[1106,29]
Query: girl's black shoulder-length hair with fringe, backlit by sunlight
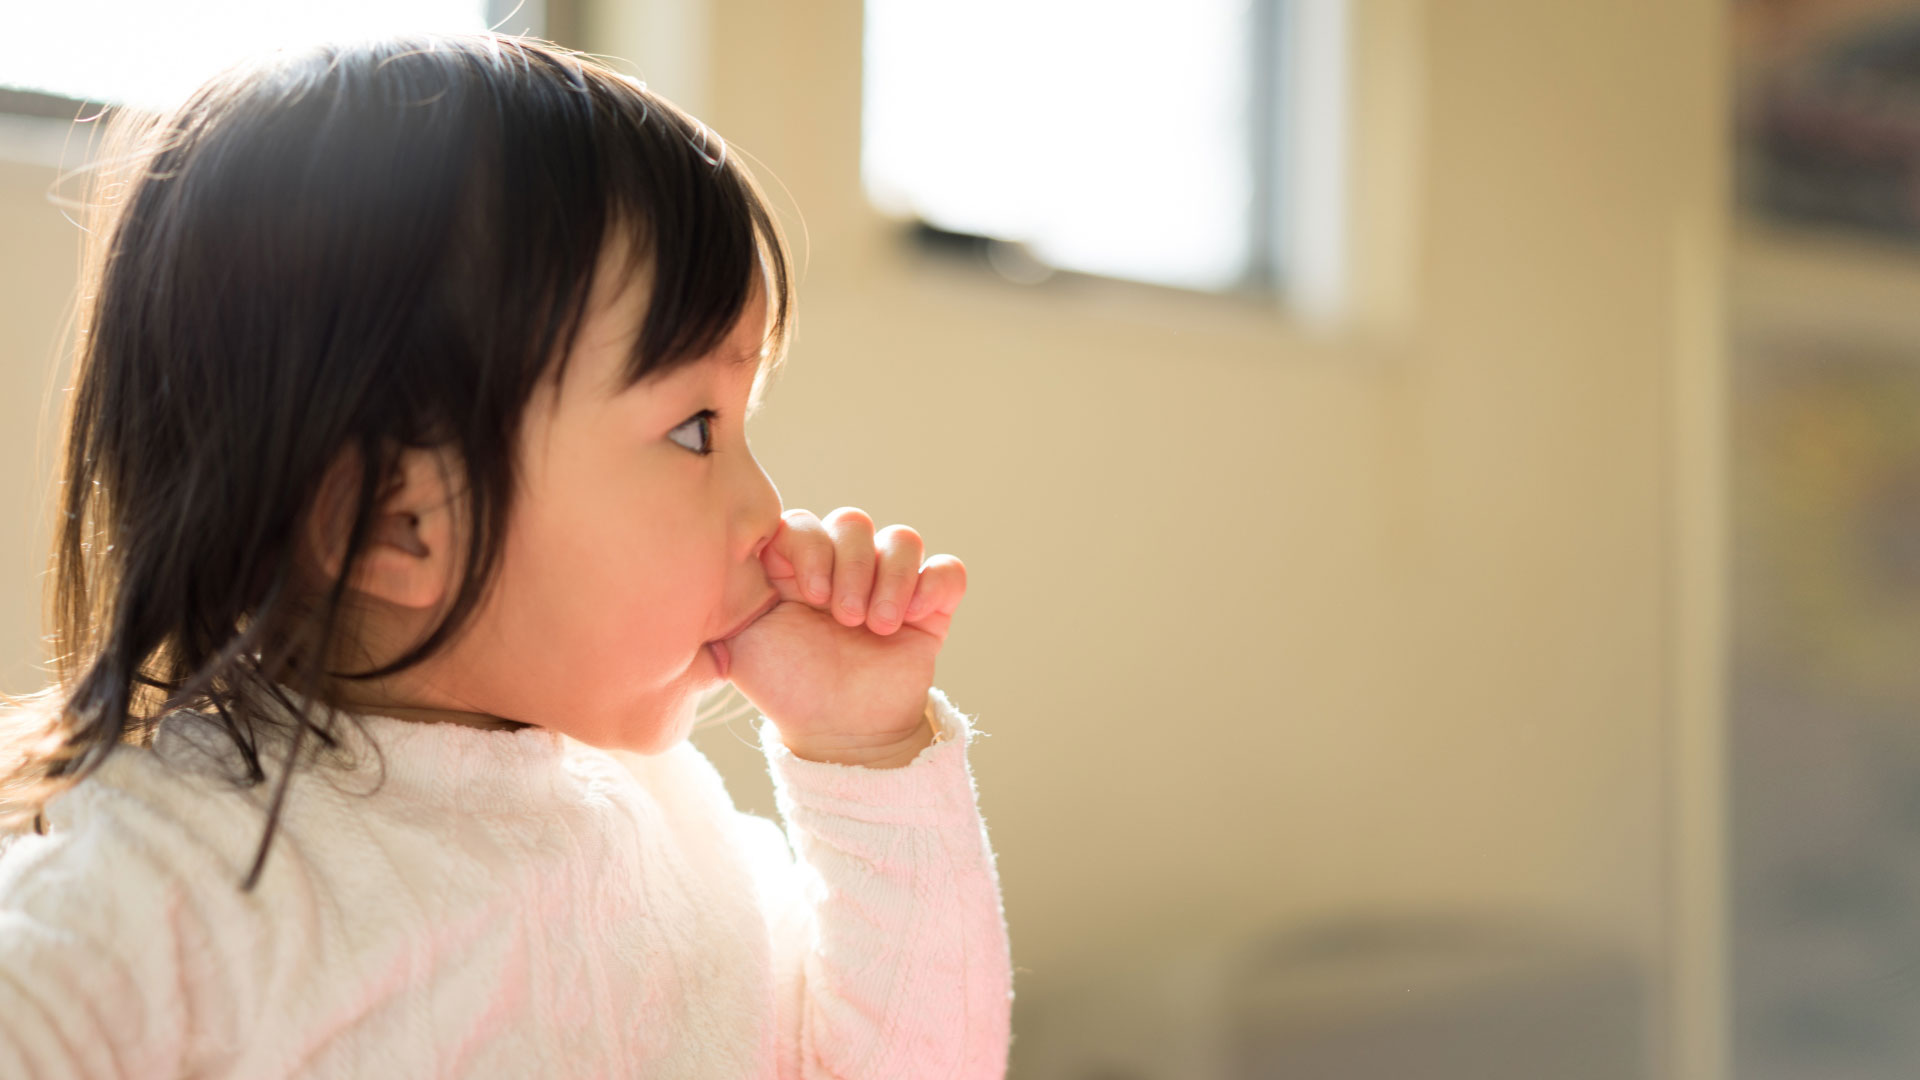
[352,249]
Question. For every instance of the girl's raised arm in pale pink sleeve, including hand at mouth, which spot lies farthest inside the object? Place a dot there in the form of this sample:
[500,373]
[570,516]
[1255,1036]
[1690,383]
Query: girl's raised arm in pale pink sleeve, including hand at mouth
[901,966]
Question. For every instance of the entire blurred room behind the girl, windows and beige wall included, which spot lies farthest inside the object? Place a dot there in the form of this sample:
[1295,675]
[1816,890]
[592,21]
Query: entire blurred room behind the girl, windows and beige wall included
[1441,487]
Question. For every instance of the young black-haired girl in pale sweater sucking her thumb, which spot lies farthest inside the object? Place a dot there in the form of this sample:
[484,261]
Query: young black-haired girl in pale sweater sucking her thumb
[408,514]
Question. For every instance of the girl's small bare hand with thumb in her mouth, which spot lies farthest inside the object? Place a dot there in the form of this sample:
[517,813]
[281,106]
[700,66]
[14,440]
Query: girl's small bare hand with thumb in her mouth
[844,664]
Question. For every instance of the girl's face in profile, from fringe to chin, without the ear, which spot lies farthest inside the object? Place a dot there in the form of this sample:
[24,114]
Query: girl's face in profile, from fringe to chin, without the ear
[627,549]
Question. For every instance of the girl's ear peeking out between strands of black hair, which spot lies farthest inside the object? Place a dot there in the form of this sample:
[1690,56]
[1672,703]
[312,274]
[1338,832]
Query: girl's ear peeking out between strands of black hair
[410,552]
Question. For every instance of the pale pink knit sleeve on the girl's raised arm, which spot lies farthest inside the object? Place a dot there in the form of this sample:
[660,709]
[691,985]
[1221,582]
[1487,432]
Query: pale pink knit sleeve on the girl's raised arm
[892,956]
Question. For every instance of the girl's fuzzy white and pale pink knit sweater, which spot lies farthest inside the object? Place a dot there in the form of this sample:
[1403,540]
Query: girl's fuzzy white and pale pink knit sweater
[506,904]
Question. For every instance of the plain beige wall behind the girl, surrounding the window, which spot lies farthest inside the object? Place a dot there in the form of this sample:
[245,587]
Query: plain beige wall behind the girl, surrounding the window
[1268,626]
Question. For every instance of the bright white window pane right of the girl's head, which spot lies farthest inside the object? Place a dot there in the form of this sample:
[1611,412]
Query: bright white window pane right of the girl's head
[1113,137]
